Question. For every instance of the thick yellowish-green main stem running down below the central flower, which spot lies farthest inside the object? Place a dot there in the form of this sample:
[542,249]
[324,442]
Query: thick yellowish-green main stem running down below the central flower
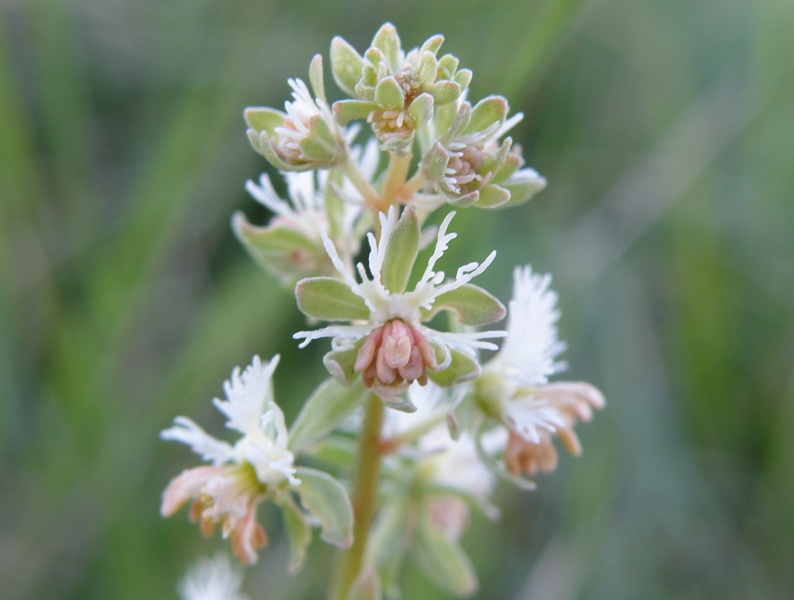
[364,499]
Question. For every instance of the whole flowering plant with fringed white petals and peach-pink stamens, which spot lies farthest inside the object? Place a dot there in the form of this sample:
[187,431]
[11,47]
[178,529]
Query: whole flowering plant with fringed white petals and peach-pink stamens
[418,422]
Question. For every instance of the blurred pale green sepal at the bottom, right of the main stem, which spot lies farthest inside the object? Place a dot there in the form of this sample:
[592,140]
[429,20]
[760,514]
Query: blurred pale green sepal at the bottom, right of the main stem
[444,561]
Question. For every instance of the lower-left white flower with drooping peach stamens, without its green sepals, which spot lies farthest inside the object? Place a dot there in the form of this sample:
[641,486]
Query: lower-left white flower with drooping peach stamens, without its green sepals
[258,466]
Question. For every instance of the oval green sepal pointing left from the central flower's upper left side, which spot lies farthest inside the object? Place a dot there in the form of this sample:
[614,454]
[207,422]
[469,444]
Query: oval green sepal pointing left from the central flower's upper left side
[329,299]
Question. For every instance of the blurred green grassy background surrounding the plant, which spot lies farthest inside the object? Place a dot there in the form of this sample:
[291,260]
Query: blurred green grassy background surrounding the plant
[666,130]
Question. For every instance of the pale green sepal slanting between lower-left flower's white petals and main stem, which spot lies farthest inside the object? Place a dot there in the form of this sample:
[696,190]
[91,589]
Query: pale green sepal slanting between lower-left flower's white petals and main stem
[329,405]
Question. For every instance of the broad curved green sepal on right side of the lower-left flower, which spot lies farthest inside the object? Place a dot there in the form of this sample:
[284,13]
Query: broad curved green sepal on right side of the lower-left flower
[326,498]
